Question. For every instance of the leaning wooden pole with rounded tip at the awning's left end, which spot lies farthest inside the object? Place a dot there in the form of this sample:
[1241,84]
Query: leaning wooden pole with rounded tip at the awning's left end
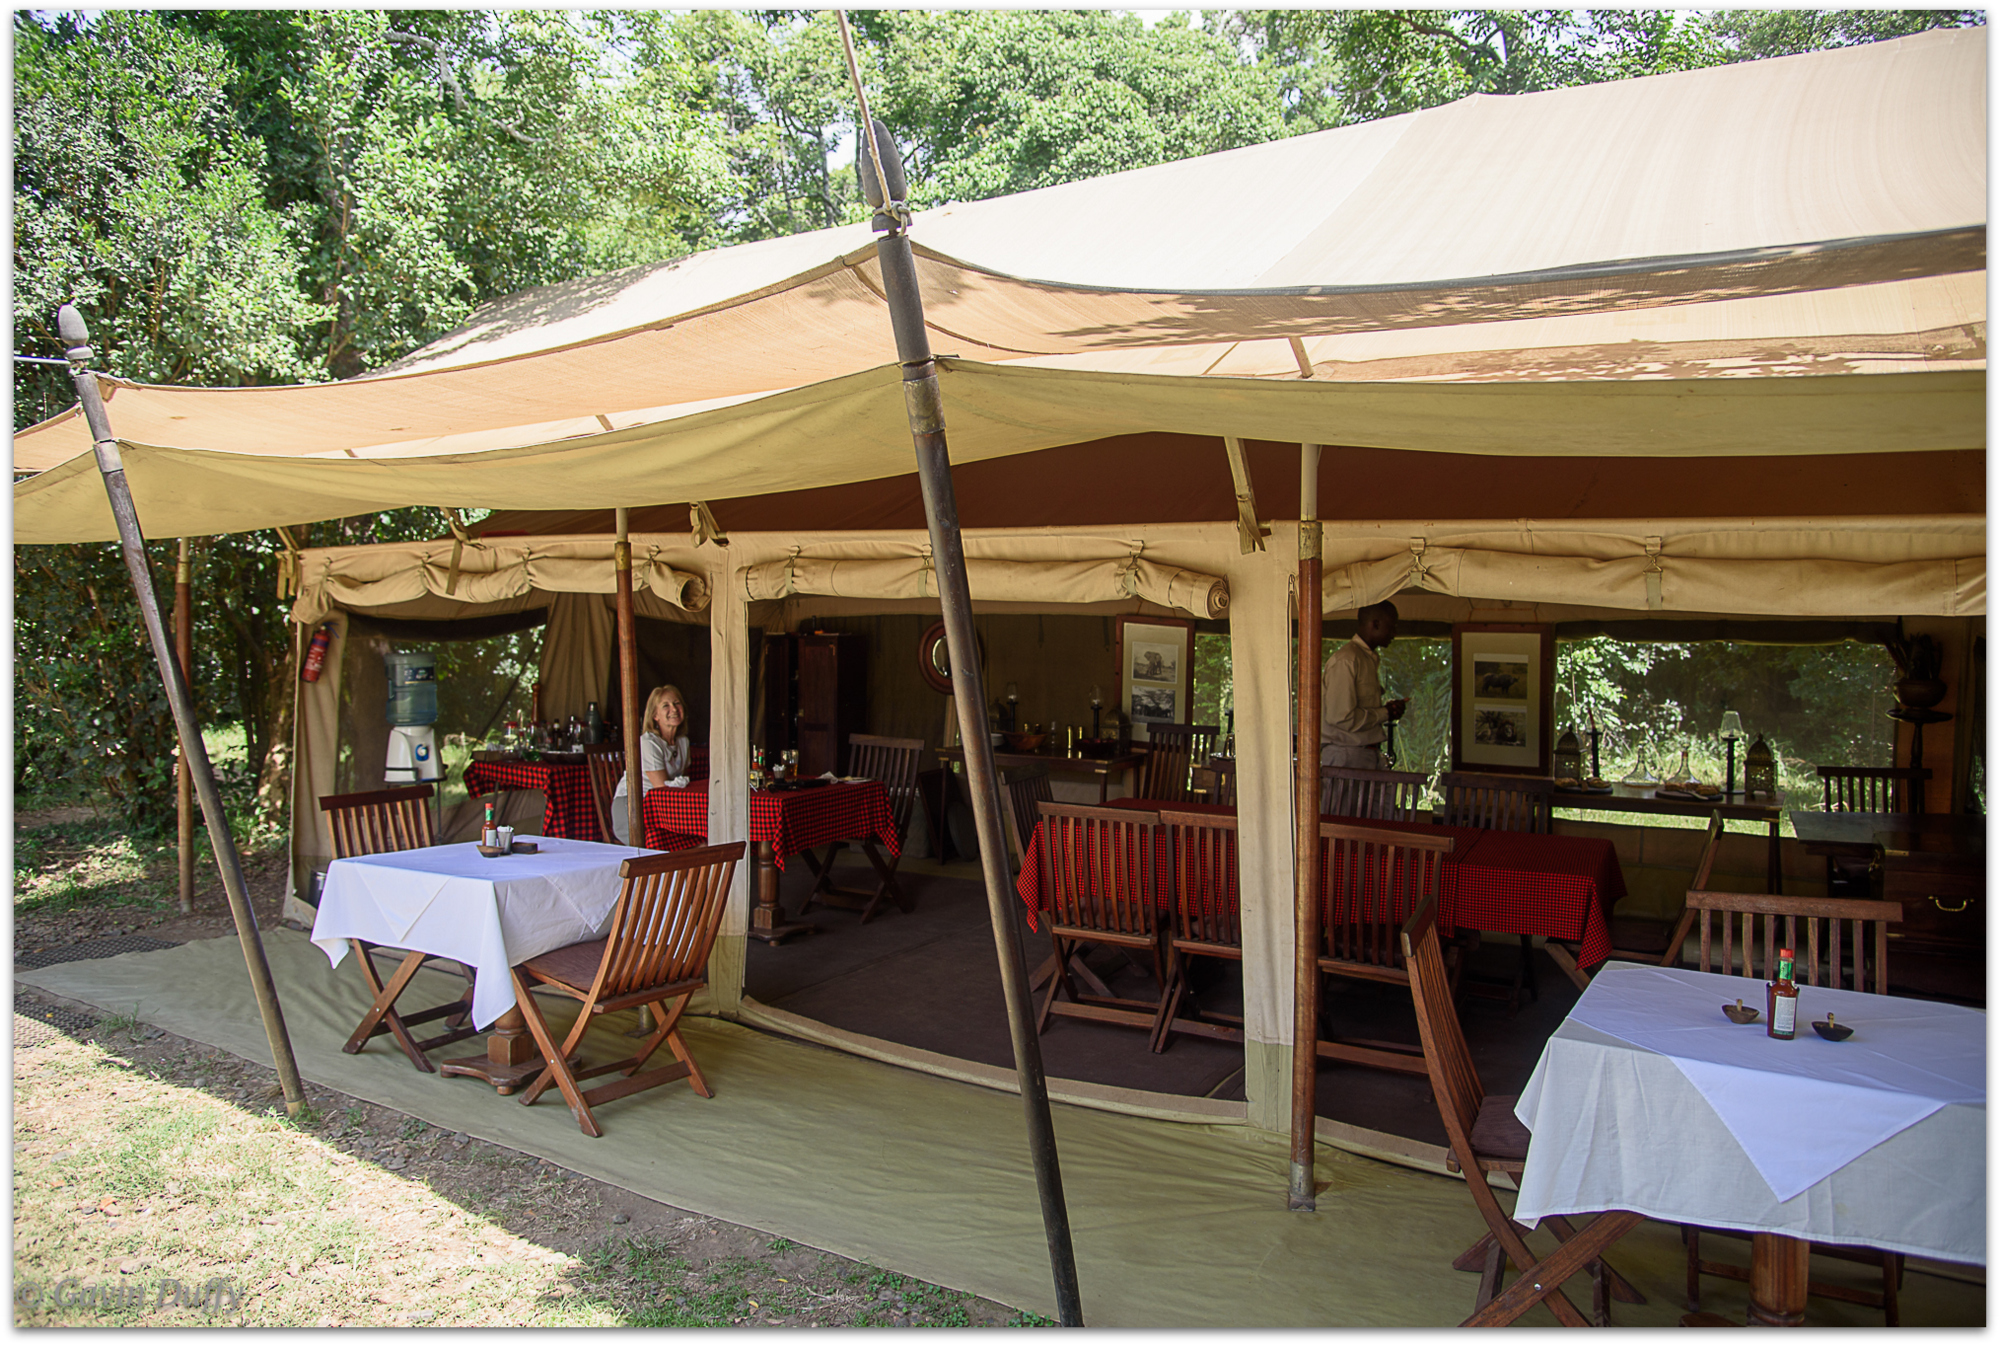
[111,465]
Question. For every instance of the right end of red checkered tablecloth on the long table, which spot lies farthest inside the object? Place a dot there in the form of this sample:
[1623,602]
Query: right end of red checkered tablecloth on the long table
[1559,888]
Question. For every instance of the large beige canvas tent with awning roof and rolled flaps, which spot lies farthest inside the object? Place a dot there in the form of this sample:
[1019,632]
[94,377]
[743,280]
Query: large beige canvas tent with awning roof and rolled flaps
[1703,345]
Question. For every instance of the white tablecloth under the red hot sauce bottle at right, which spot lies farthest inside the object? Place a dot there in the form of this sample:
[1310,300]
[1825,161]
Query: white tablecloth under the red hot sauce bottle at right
[1655,1116]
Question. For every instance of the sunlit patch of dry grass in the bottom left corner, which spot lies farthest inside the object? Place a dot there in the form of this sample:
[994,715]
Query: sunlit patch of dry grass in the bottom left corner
[127,1182]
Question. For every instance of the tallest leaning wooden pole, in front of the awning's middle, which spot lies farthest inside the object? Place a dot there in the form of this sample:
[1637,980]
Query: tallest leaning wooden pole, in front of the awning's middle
[883,187]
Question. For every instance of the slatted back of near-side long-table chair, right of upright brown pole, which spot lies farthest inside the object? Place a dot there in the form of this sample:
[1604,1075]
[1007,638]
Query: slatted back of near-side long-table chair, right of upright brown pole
[1371,884]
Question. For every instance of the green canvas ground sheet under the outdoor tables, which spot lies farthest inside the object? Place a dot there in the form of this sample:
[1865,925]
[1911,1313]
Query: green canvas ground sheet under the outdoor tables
[1175,1226]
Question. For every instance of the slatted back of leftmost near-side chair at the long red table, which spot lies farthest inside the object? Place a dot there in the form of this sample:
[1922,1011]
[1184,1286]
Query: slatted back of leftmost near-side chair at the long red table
[1099,868]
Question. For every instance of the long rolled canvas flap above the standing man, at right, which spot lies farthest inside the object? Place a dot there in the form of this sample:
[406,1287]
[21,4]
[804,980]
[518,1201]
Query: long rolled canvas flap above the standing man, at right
[1793,569]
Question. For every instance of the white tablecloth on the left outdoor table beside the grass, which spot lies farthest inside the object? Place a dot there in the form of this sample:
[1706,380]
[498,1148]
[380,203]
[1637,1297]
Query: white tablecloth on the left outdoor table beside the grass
[487,914]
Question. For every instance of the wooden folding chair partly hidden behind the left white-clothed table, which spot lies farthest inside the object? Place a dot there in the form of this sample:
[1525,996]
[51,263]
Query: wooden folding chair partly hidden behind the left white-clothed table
[381,824]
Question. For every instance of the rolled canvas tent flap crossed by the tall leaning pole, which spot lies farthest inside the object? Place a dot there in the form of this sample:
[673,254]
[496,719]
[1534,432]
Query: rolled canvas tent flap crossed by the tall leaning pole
[993,579]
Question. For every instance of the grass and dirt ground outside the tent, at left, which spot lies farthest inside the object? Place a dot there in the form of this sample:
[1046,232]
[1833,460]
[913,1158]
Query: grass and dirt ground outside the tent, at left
[159,1180]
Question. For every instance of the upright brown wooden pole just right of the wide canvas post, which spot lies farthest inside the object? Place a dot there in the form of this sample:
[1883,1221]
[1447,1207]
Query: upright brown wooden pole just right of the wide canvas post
[1307,844]
